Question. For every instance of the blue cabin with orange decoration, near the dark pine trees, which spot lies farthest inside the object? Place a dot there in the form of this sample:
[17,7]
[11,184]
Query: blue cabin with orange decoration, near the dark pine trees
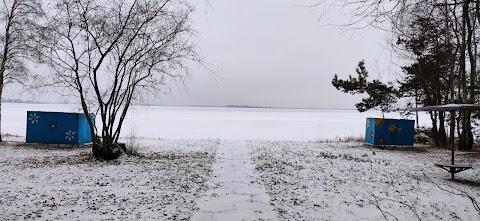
[383,132]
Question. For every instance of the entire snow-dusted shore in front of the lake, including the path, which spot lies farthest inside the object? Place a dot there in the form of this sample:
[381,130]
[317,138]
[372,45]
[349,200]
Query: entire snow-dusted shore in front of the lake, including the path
[173,180]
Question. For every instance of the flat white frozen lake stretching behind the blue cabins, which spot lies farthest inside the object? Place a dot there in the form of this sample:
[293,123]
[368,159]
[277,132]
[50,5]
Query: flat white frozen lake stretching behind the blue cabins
[160,122]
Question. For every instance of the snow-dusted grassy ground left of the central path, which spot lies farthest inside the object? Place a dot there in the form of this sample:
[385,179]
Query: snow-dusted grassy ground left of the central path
[162,183]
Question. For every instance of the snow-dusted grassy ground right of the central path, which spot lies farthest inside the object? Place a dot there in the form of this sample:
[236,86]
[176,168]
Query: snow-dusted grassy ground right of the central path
[348,181]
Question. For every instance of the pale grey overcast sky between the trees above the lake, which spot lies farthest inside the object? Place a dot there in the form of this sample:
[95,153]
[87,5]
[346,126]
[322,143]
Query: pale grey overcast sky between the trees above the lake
[273,53]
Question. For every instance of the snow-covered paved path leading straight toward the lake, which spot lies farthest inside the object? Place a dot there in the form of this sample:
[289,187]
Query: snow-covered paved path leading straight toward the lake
[234,194]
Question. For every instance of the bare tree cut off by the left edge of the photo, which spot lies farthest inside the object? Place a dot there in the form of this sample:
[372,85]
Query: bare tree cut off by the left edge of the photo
[17,40]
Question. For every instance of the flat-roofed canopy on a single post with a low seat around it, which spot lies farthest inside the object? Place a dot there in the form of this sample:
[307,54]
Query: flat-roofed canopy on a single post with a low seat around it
[451,167]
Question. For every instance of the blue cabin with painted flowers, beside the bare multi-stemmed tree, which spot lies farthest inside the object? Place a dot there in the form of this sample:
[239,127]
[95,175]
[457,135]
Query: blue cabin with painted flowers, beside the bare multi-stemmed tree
[58,128]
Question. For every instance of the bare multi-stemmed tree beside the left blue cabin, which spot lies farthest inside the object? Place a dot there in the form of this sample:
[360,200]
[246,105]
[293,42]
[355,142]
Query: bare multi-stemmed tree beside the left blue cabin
[109,52]
